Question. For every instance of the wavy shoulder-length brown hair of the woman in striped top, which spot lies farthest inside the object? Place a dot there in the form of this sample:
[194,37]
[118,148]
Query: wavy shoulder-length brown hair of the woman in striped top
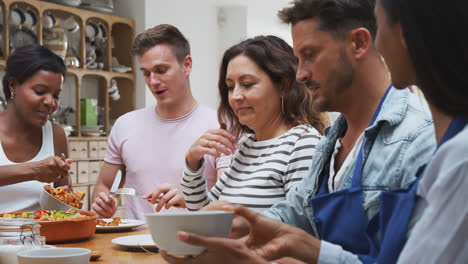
[276,58]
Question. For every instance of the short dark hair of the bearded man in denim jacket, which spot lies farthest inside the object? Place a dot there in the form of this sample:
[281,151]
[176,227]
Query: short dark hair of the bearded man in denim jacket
[334,16]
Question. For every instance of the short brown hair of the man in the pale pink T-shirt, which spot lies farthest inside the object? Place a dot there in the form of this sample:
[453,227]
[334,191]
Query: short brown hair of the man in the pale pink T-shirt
[162,34]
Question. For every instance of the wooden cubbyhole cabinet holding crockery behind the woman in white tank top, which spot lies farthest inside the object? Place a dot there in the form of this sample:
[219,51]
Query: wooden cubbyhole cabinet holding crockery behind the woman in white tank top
[117,45]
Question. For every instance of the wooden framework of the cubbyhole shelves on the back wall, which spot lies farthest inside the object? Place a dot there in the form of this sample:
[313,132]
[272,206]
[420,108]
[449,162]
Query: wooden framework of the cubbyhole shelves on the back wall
[116,27]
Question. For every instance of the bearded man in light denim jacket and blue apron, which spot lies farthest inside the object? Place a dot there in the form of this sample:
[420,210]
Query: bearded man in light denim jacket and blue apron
[380,140]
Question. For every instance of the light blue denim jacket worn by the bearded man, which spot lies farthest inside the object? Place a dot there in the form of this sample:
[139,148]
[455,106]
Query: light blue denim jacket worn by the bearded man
[396,145]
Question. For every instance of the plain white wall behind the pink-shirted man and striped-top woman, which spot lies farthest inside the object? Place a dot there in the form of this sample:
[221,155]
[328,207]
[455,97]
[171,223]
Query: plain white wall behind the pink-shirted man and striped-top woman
[198,21]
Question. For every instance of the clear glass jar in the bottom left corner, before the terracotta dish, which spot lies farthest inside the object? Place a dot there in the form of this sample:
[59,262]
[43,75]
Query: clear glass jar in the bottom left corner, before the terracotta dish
[17,235]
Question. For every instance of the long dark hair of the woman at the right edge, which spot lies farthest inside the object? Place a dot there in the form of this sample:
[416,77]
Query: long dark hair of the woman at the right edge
[435,34]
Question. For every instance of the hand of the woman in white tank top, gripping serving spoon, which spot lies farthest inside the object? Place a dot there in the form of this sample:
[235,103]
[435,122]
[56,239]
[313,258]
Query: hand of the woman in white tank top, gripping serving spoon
[51,169]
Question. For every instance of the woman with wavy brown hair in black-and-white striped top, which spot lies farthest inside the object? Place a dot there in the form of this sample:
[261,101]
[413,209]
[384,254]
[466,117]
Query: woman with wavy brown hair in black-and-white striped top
[262,103]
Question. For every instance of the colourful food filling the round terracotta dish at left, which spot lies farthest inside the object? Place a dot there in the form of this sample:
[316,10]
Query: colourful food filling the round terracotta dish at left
[45,215]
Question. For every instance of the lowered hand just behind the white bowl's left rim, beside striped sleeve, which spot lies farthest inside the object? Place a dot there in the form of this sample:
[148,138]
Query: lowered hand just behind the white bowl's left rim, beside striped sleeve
[166,195]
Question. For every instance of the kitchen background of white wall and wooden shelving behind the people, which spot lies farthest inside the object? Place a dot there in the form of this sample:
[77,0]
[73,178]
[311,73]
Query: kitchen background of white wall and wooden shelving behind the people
[103,80]
